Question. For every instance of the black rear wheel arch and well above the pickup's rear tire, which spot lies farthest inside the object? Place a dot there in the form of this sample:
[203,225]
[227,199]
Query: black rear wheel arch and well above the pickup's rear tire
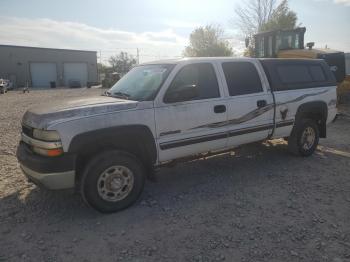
[317,111]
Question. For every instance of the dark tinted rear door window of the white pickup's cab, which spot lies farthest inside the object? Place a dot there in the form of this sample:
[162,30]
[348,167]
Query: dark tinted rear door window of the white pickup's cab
[242,78]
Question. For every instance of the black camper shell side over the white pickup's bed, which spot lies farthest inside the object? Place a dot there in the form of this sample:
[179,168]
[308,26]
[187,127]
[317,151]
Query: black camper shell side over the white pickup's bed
[291,74]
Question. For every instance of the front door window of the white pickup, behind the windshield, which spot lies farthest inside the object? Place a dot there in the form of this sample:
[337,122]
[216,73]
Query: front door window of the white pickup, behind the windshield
[193,82]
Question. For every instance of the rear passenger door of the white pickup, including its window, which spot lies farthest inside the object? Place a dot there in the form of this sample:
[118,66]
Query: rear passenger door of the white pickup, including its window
[249,102]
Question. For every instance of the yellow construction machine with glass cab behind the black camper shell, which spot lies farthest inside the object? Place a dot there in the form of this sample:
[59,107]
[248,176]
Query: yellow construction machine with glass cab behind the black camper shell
[290,44]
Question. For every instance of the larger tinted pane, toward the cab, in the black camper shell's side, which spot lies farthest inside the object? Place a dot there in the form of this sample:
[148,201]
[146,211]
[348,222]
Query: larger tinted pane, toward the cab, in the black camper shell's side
[290,74]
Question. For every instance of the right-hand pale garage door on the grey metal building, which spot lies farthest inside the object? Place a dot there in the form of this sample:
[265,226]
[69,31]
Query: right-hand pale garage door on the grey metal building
[75,72]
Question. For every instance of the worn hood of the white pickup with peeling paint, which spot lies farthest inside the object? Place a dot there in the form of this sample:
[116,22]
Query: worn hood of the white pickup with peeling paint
[50,113]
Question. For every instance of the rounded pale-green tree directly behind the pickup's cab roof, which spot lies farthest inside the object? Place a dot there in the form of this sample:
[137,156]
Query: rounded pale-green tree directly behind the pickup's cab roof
[207,42]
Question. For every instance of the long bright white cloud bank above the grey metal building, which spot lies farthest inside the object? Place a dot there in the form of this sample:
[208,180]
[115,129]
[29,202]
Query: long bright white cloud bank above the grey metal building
[62,34]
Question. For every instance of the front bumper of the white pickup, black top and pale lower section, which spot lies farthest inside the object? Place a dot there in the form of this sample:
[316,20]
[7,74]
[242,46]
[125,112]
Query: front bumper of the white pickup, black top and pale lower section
[50,172]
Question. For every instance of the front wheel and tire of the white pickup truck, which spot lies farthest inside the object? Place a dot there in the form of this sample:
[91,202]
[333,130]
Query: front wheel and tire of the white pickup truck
[110,169]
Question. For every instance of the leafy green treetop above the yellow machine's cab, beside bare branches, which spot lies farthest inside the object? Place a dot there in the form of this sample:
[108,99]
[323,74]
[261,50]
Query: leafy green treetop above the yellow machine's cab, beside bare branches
[282,18]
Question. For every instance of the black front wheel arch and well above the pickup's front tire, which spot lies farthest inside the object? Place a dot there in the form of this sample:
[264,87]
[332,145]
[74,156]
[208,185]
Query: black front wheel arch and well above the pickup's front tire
[136,140]
